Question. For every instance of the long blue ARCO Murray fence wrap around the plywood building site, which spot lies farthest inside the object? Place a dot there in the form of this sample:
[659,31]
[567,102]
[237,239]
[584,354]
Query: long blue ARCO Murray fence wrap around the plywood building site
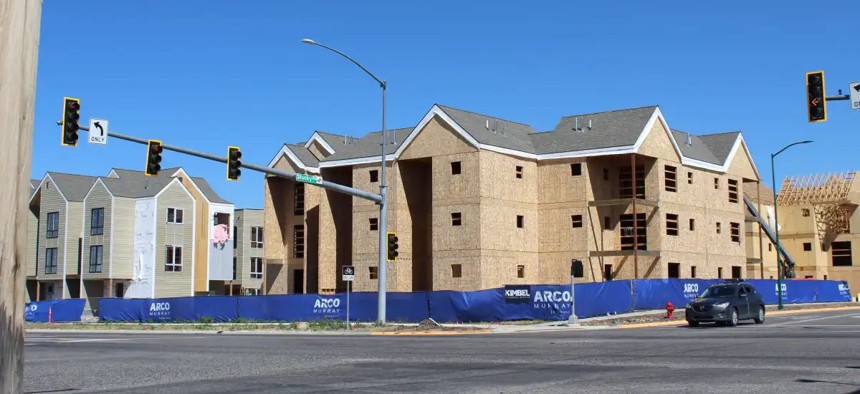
[516,302]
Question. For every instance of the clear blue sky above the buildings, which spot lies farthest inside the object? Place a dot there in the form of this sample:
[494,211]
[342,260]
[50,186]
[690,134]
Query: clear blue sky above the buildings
[213,73]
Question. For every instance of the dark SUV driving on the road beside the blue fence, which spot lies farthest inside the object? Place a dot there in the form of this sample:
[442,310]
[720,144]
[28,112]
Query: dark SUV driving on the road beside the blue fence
[726,303]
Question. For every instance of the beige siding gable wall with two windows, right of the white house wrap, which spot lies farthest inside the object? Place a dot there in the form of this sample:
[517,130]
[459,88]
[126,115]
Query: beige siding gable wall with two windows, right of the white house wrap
[174,284]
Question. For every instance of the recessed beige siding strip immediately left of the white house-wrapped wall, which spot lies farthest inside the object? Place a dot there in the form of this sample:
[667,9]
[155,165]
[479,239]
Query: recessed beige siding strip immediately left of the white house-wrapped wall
[122,244]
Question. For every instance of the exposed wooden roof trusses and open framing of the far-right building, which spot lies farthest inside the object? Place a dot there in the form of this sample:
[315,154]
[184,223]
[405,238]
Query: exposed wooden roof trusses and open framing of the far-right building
[829,197]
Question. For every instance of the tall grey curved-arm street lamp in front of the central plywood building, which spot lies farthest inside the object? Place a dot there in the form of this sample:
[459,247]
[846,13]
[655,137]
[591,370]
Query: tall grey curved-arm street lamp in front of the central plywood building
[383,205]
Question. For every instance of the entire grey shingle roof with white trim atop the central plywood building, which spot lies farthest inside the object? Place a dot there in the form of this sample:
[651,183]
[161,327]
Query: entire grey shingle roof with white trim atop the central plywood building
[601,133]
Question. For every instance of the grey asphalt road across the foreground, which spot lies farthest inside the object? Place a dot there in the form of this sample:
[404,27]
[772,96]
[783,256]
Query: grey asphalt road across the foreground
[816,352]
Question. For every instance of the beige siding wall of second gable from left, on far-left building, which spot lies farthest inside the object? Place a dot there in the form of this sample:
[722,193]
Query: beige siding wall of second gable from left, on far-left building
[99,197]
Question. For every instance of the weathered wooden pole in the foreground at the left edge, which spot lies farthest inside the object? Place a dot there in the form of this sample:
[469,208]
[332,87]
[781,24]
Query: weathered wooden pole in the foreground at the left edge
[19,46]
